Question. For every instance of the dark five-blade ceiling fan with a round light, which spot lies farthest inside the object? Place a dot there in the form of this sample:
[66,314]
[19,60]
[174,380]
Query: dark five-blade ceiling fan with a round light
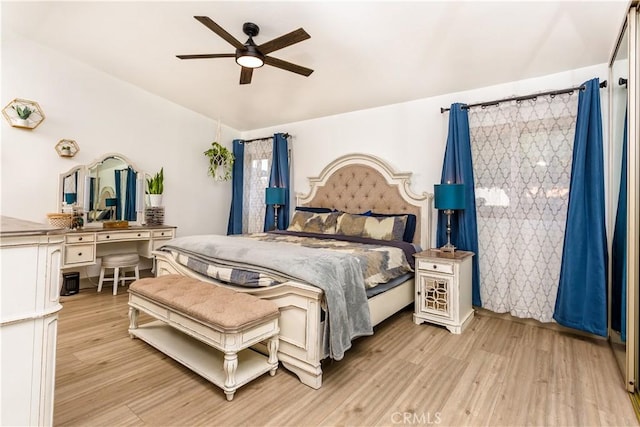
[249,55]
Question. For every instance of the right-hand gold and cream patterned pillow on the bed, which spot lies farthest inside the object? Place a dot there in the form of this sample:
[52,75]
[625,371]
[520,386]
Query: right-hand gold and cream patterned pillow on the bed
[387,228]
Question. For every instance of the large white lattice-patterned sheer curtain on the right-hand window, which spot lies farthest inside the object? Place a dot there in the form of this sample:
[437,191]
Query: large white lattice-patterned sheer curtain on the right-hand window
[522,155]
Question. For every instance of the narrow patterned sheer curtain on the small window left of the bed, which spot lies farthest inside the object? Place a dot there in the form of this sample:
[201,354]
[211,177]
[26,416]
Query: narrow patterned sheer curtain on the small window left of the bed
[257,169]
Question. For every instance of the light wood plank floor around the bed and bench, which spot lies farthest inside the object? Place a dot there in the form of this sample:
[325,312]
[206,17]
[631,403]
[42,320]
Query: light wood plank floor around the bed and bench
[497,373]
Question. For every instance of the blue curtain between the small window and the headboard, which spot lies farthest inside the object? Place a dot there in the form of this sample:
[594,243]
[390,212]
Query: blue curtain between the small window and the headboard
[279,178]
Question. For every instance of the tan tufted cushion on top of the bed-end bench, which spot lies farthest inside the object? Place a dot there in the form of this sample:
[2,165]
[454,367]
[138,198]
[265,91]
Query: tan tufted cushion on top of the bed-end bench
[209,303]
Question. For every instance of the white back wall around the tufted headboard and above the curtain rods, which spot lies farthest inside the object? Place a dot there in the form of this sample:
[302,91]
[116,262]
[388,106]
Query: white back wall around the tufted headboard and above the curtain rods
[411,136]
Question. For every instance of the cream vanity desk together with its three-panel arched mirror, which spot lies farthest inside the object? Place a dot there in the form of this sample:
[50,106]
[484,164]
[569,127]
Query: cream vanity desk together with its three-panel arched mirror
[109,189]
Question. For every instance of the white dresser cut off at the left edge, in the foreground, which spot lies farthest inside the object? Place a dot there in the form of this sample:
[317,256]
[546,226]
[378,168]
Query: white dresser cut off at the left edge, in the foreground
[30,257]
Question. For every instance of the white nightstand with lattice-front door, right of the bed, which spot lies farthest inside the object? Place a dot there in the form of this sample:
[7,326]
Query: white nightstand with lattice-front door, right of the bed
[443,289]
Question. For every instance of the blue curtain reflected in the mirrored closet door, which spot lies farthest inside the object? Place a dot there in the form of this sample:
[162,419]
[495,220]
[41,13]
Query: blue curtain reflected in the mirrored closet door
[619,251]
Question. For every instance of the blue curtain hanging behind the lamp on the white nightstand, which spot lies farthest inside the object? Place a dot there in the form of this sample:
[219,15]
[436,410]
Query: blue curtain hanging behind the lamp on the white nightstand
[458,168]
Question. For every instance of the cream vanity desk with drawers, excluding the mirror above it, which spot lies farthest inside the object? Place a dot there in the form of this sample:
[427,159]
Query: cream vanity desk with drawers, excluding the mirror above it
[83,247]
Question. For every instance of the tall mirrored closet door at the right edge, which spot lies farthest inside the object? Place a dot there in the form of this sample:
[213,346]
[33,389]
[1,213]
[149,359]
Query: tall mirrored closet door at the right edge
[623,202]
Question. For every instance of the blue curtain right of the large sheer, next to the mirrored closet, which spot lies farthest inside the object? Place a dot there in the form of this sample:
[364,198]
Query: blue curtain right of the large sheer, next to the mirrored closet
[582,290]
